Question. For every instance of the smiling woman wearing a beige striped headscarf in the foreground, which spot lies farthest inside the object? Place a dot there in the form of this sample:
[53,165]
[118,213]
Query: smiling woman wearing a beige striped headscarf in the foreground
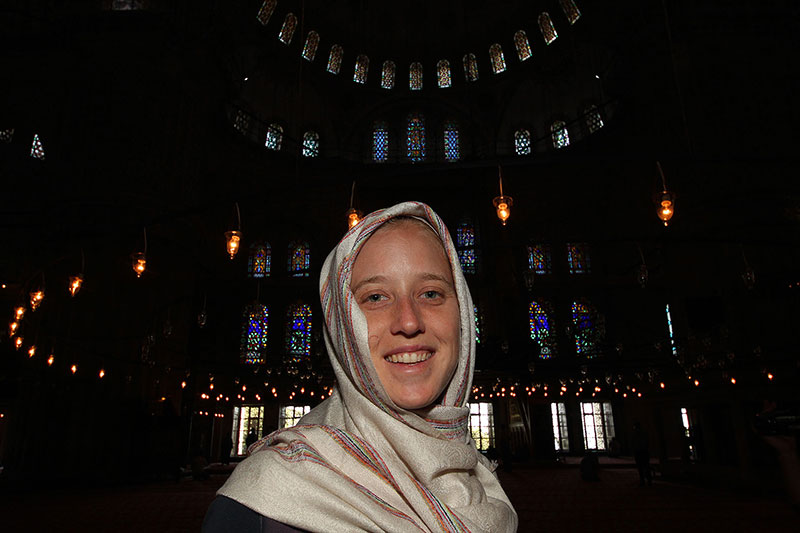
[390,449]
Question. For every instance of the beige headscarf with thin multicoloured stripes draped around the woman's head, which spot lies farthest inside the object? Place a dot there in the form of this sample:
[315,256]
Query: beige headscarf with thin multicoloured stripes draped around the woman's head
[357,462]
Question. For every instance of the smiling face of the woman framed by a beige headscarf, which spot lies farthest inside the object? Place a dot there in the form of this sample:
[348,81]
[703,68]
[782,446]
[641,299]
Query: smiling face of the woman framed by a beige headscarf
[403,284]
